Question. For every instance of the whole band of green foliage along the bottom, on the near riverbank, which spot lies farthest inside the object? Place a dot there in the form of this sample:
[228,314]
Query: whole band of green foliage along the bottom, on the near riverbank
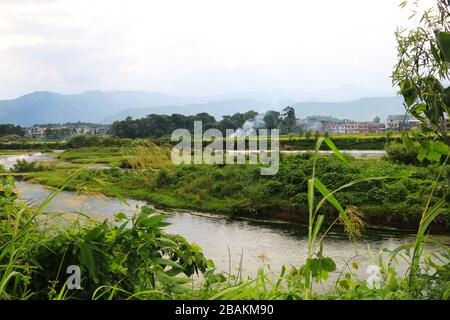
[133,258]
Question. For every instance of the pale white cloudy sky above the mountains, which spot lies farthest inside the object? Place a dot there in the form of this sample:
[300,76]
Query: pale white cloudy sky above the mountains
[196,47]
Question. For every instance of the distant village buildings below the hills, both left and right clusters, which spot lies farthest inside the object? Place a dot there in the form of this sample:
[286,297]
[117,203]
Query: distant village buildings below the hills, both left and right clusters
[321,124]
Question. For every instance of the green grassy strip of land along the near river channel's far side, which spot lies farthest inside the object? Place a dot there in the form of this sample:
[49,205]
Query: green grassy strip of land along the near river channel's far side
[241,190]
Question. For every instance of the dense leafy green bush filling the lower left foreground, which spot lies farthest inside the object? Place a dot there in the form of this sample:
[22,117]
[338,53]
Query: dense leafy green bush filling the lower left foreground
[116,260]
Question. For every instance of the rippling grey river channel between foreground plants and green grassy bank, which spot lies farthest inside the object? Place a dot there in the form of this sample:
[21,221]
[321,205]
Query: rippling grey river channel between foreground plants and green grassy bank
[227,241]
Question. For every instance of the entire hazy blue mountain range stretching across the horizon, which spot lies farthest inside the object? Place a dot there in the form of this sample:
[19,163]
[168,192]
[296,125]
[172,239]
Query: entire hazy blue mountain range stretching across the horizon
[107,106]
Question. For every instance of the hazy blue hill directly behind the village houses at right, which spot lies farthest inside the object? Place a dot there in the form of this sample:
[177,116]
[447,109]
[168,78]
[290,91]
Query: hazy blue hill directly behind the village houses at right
[362,109]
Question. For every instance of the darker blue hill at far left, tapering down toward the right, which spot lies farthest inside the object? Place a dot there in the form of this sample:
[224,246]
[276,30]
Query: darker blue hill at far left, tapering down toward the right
[91,106]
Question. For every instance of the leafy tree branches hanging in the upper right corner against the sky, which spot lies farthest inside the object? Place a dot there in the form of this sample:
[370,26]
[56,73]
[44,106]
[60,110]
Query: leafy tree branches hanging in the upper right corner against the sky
[421,72]
